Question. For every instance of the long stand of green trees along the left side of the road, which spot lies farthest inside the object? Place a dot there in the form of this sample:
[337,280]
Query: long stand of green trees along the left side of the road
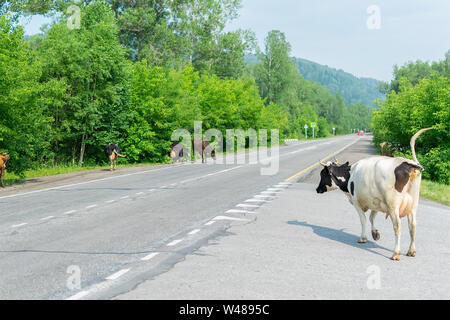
[134,71]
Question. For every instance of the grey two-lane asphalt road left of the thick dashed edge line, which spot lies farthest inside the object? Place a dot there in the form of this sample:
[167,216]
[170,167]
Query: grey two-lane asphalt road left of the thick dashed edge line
[101,238]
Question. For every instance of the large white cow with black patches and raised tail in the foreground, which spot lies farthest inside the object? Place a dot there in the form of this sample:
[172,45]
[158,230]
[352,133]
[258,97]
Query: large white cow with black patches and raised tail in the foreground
[379,184]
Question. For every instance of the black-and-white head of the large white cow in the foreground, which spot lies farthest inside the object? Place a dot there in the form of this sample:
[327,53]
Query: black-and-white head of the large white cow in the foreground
[334,176]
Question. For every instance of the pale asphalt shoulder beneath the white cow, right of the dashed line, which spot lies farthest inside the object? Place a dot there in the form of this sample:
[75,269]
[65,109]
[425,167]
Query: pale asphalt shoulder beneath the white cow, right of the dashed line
[303,245]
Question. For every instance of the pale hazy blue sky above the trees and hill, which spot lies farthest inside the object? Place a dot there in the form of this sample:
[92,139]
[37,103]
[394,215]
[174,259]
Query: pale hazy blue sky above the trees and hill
[335,32]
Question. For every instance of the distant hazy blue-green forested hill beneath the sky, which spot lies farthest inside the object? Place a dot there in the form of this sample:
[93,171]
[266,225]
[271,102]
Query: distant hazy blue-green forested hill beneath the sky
[354,90]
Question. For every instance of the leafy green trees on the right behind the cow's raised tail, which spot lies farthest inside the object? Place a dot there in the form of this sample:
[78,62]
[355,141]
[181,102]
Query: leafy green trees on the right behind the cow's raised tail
[418,97]
